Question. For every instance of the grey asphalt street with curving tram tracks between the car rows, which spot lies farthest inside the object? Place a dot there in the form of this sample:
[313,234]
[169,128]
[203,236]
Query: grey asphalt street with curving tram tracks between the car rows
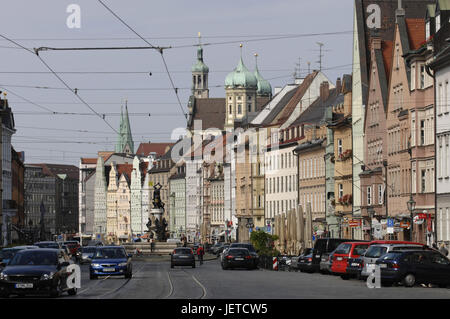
[156,280]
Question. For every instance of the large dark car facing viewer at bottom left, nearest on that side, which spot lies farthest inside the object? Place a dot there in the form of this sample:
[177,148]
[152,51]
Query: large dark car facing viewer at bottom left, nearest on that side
[36,271]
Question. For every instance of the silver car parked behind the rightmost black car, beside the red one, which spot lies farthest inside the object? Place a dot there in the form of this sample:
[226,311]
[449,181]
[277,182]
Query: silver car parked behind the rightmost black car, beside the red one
[379,248]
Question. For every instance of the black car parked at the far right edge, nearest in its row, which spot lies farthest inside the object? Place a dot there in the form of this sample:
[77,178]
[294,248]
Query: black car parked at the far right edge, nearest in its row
[411,267]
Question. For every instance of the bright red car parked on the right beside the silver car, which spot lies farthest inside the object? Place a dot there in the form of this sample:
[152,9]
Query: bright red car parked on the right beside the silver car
[345,251]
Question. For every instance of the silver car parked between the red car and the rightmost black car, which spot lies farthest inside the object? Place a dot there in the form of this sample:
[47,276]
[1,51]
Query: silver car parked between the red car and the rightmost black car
[377,250]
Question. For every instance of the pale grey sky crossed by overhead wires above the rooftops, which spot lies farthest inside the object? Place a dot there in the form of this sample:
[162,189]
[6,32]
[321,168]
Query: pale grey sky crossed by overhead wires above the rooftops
[105,79]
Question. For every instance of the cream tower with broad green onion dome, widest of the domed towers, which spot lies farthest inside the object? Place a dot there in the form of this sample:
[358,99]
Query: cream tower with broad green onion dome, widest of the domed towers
[240,91]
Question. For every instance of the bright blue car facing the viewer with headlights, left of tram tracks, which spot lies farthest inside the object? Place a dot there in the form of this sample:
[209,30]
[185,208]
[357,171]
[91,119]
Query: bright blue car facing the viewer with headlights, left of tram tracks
[110,261]
